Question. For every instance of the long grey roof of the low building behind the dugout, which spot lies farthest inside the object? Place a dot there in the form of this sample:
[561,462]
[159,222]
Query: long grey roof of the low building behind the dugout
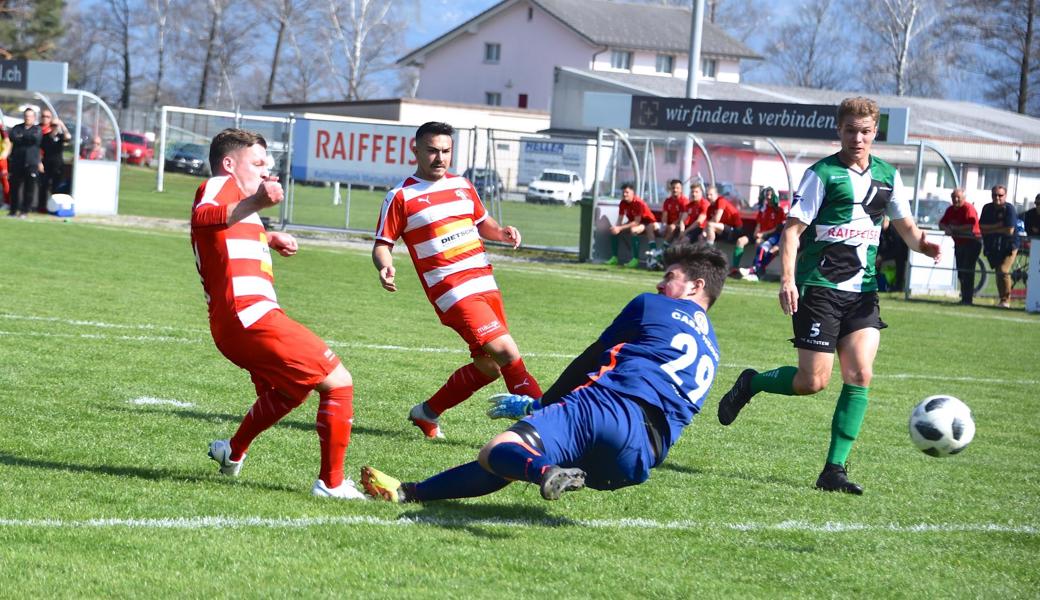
[930,118]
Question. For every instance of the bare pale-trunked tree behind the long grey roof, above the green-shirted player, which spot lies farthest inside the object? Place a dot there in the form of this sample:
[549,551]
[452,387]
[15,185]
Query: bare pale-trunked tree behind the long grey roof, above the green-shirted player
[894,35]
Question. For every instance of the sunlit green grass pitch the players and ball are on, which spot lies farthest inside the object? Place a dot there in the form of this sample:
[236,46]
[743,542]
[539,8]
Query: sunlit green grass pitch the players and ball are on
[105,495]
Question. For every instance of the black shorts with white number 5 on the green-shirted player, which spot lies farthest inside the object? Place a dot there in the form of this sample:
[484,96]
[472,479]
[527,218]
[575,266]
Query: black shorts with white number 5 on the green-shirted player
[826,316]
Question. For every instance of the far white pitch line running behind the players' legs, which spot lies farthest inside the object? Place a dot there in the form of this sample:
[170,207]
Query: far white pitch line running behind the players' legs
[201,336]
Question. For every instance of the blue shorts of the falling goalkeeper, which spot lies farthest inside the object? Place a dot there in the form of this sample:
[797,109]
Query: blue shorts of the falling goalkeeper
[601,432]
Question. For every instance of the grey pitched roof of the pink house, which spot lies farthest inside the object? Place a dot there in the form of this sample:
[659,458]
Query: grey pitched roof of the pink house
[619,25]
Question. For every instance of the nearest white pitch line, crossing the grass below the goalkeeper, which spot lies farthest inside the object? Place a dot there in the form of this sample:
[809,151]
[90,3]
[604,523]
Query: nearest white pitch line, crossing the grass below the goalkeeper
[405,521]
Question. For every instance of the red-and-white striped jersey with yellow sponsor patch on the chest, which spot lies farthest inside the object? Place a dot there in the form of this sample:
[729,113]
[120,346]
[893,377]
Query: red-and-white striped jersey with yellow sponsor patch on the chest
[438,221]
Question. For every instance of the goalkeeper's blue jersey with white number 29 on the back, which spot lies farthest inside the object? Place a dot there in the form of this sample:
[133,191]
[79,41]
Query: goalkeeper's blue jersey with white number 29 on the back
[663,352]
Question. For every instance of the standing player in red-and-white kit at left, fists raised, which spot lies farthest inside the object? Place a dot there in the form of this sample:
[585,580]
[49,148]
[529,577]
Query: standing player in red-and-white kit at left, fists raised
[285,360]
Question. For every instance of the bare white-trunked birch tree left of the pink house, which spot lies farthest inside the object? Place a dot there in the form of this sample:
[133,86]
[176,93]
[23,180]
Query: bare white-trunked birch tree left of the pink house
[366,41]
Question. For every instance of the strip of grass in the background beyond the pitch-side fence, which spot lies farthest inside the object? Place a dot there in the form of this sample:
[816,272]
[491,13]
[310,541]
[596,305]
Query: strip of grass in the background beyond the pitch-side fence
[541,225]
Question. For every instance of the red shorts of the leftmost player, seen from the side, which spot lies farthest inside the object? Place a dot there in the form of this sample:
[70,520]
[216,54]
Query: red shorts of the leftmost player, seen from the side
[280,354]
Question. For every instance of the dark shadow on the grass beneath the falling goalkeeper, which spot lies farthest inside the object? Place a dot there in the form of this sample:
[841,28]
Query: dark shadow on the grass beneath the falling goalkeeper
[477,519]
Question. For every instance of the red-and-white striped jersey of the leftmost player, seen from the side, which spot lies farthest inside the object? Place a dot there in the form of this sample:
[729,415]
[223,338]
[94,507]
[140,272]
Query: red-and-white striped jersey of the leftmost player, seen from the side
[235,263]
